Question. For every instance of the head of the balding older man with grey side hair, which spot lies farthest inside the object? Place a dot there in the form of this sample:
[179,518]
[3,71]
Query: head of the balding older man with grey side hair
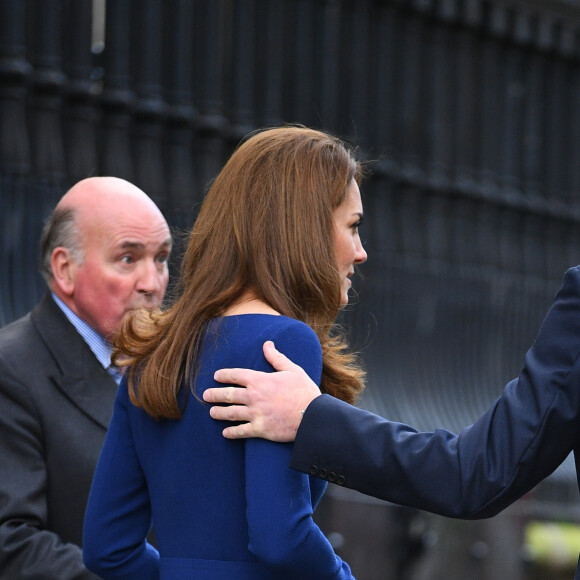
[104,251]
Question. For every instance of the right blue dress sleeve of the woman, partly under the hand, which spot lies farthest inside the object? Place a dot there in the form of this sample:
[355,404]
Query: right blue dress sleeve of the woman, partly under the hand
[282,532]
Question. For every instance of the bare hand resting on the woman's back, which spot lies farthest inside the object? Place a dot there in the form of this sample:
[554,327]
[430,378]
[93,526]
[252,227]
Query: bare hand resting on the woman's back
[271,404]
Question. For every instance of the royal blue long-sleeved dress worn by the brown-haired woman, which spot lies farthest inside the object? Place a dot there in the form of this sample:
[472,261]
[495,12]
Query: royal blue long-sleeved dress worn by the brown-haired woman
[221,509]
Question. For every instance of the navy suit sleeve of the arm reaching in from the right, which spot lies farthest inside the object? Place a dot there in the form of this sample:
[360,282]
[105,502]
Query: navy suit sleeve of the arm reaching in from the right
[527,432]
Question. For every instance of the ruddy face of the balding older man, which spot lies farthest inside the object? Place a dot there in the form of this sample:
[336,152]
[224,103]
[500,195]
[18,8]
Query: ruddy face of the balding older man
[124,265]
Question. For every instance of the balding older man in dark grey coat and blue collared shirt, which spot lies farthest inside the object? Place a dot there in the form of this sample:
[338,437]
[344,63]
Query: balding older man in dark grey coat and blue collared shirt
[104,252]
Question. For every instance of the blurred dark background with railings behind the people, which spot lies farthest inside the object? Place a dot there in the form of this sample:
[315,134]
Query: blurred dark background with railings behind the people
[469,112]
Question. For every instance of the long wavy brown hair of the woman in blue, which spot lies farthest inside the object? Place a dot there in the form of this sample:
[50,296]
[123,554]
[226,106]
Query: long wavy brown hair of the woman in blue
[266,225]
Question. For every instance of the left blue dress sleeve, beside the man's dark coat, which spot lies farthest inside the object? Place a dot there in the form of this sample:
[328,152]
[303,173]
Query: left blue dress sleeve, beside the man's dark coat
[118,514]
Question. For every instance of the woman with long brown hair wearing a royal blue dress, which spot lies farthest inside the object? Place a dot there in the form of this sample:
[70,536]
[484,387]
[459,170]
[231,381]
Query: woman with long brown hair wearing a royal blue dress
[270,257]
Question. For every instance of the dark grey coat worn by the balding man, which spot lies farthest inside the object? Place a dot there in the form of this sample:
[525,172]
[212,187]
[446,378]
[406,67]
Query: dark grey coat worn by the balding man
[56,401]
